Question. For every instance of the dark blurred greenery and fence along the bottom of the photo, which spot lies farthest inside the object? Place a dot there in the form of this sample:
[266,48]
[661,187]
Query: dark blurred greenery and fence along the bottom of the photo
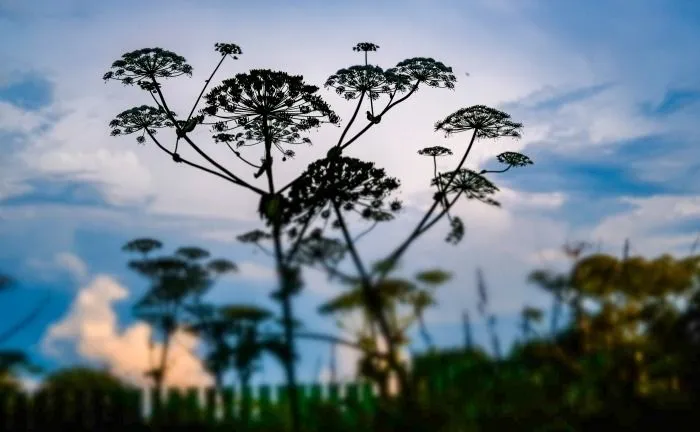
[625,360]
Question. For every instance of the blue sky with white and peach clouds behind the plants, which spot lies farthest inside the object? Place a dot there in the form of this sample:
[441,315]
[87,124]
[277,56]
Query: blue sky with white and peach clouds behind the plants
[608,91]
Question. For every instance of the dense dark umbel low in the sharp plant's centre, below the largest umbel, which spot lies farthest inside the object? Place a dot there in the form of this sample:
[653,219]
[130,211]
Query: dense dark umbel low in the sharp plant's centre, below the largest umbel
[354,185]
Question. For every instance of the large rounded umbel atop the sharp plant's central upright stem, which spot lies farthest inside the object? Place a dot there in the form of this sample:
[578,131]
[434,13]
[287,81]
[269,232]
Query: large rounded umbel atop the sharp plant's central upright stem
[266,105]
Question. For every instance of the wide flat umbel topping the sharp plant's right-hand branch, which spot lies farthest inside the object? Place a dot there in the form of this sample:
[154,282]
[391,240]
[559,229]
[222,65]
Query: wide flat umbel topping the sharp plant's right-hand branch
[484,121]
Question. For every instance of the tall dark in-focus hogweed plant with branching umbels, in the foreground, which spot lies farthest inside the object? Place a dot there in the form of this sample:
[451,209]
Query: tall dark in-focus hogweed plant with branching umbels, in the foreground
[262,114]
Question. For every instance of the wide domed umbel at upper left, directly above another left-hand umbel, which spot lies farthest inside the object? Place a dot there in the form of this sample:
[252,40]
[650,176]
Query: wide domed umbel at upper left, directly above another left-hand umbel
[143,66]
